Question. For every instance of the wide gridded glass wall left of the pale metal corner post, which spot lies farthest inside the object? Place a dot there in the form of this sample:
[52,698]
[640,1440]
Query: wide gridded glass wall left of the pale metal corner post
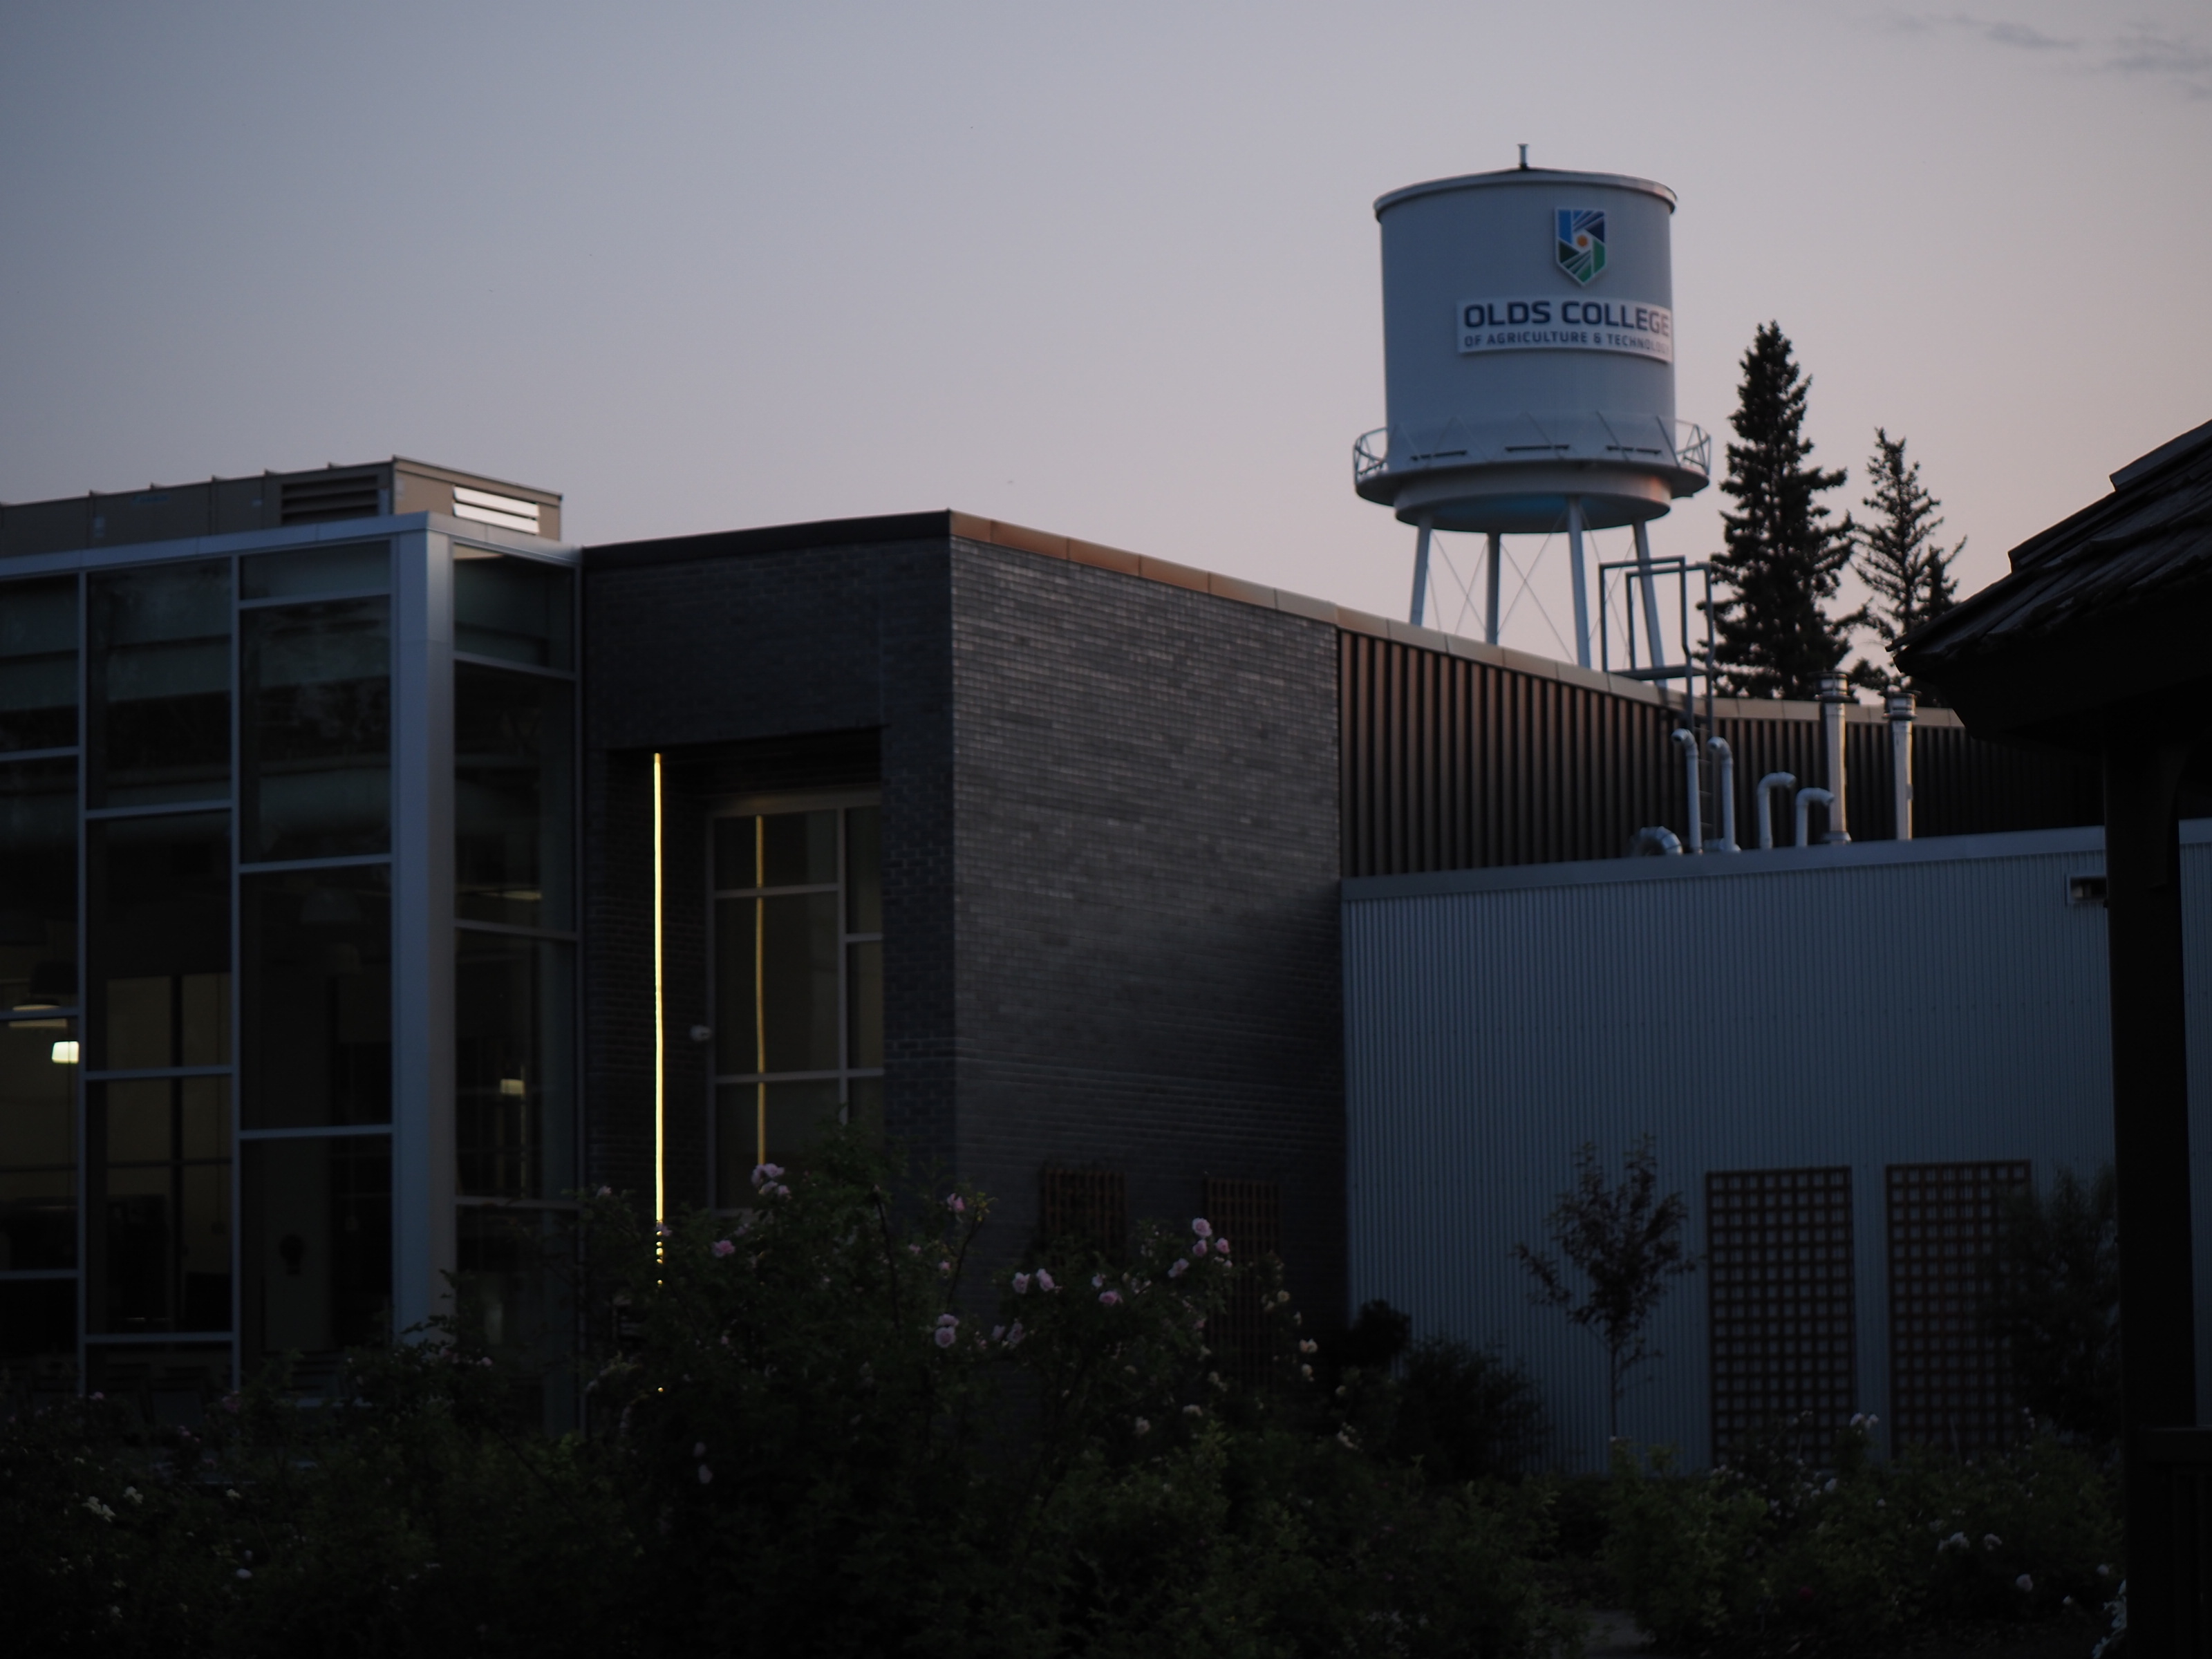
[196,806]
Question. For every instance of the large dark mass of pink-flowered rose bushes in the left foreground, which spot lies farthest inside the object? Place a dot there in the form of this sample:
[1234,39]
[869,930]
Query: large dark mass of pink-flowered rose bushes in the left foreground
[813,1434]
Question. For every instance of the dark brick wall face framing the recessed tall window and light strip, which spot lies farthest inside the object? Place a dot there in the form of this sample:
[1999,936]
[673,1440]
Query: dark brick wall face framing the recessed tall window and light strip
[720,660]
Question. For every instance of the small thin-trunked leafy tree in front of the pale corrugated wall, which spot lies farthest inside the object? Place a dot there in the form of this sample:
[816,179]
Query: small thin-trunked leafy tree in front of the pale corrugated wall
[1627,1242]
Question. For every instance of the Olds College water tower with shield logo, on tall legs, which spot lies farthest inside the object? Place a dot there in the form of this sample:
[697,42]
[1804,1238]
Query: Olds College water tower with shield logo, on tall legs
[1530,364]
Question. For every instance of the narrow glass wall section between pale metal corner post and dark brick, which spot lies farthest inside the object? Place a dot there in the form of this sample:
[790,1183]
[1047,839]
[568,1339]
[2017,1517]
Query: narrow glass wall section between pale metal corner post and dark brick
[514,972]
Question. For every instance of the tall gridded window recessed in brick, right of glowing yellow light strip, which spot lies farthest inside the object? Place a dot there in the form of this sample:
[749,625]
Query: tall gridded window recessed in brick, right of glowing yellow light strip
[797,983]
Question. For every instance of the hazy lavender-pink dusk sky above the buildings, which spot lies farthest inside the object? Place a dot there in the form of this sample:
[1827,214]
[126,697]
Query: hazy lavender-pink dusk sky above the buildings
[1107,271]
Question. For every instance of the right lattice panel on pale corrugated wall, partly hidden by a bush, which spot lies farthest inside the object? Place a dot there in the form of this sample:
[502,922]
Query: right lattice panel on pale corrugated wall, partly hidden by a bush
[1948,1381]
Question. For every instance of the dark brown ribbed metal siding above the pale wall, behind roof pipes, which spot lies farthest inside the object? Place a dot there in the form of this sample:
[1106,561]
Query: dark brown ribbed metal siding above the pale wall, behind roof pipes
[1452,764]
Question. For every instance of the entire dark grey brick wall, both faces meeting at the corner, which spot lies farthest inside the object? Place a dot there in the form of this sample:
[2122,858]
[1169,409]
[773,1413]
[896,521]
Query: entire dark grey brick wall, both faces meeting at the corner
[1109,859]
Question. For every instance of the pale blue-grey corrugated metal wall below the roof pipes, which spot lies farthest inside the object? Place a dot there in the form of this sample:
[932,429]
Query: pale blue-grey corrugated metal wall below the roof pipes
[1784,1012]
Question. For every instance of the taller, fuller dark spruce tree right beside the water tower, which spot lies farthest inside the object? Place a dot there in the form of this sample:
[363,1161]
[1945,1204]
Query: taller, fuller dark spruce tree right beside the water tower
[1784,556]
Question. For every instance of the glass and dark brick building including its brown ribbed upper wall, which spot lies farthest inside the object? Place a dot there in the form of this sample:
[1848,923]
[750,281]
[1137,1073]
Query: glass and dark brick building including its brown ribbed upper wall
[379,868]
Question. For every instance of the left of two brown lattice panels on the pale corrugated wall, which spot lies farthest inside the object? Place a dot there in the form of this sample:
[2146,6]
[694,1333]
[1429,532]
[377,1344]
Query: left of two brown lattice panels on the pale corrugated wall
[1784,1331]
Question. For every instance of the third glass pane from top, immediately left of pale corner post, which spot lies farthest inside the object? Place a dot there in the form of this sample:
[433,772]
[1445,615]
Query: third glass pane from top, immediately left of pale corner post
[317,981]
